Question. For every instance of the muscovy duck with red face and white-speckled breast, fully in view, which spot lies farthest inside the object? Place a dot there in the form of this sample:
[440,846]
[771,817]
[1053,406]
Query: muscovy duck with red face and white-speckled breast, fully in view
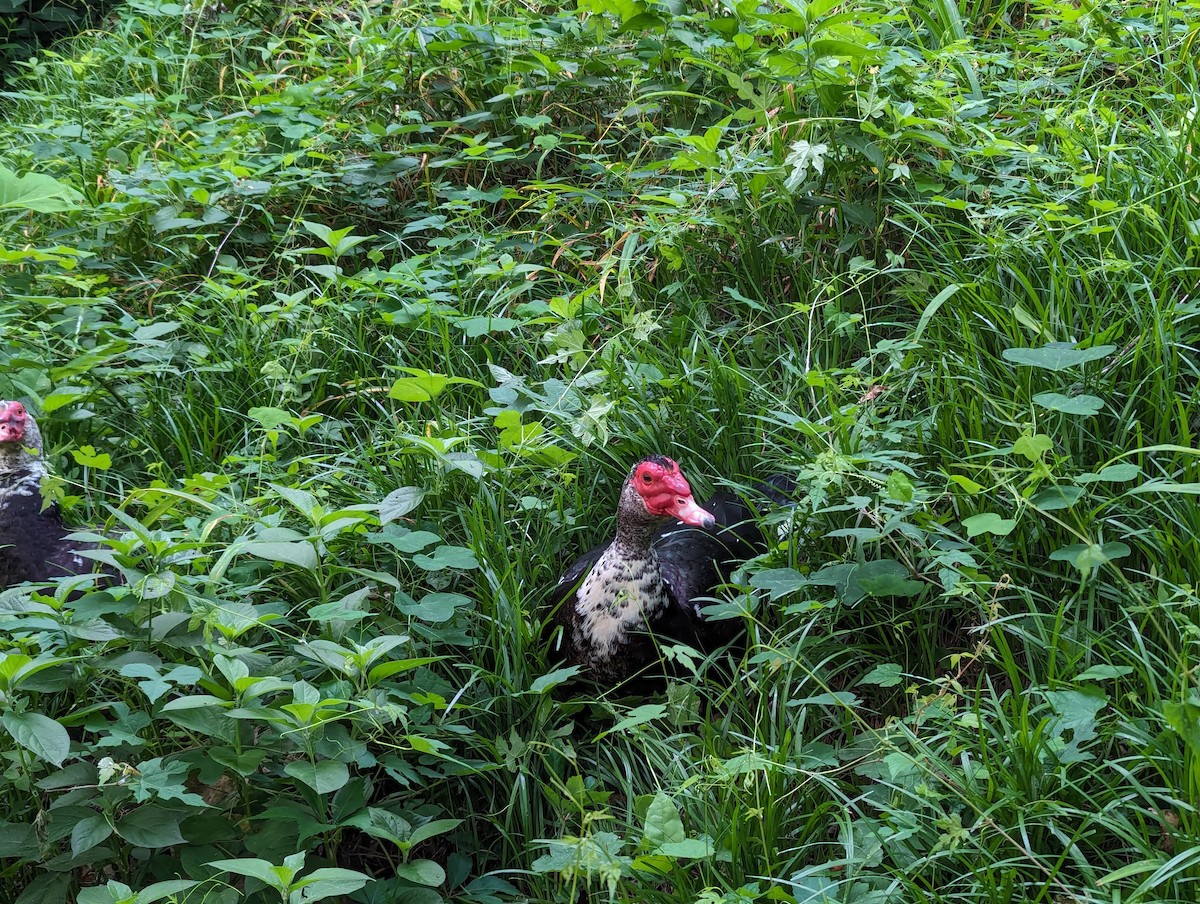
[653,578]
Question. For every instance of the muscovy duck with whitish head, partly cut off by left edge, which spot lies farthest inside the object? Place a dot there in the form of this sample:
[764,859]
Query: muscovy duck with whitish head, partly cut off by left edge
[33,541]
